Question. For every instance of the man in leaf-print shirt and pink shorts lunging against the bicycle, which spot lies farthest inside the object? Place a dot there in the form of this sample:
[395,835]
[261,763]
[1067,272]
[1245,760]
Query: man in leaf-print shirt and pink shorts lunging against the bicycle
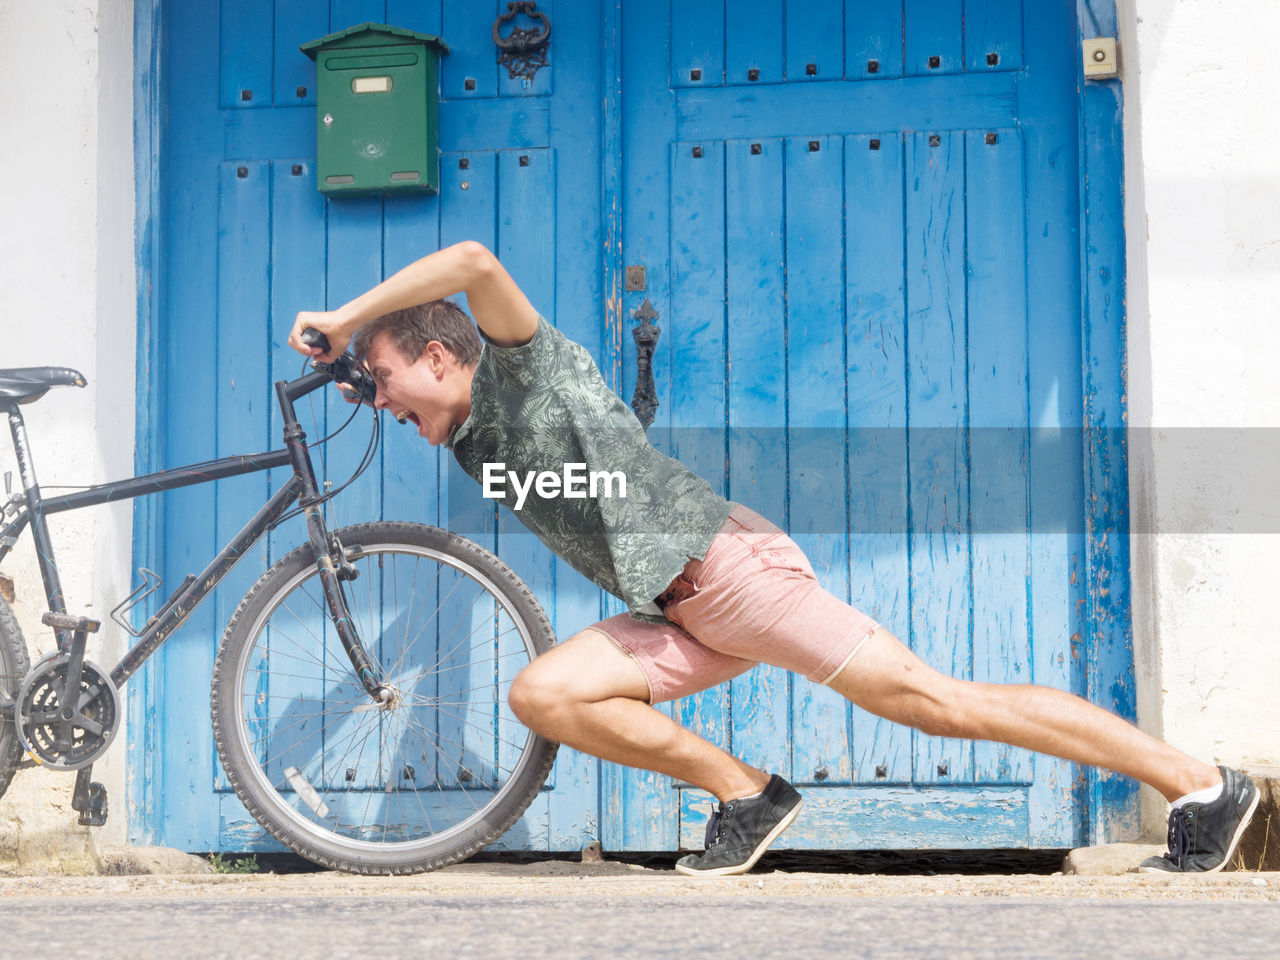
[712,587]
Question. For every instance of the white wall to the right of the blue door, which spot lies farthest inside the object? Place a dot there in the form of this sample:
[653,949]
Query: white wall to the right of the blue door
[1204,228]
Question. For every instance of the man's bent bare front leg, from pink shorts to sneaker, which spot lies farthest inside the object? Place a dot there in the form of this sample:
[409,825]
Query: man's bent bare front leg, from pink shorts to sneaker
[591,696]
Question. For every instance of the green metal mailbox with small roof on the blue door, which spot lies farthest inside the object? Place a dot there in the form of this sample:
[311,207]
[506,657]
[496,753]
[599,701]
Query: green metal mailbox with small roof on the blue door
[377,111]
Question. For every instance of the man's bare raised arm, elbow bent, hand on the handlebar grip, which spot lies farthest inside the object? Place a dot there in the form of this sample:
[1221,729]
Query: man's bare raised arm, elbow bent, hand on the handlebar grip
[500,308]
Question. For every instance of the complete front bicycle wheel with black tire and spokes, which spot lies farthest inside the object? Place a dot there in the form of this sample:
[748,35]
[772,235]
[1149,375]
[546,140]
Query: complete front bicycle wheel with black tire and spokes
[284,710]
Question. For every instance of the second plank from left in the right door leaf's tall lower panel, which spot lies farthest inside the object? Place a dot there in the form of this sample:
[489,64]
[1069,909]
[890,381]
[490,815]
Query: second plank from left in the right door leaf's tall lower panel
[757,404]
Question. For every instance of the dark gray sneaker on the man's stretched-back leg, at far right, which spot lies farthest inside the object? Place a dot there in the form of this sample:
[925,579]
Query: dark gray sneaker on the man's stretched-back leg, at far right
[1204,836]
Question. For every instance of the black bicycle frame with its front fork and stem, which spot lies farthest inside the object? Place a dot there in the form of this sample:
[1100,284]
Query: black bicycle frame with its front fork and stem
[300,488]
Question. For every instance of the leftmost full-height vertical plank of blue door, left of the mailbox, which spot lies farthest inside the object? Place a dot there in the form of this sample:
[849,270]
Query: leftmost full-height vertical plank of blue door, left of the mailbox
[188,328]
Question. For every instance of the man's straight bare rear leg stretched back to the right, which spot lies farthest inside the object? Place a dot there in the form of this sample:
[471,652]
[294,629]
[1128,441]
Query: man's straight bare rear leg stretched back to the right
[886,679]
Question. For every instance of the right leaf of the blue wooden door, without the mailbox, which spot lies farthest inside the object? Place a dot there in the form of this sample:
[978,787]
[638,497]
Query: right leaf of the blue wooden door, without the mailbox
[860,230]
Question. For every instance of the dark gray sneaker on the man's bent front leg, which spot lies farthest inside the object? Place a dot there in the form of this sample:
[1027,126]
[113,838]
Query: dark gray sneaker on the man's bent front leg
[740,831]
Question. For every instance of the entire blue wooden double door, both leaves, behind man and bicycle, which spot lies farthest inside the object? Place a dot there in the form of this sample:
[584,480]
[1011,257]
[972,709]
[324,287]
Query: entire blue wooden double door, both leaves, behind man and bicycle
[866,267]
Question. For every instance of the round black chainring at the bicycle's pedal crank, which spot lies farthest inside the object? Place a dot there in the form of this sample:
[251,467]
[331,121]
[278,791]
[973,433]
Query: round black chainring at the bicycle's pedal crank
[67,739]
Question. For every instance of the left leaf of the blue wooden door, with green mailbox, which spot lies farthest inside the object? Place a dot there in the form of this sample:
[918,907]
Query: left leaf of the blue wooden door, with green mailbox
[248,241]
